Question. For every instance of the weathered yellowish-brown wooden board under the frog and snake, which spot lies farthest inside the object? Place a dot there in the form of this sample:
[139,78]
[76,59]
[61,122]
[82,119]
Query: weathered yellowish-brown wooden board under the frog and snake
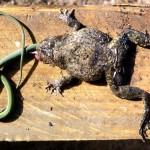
[87,111]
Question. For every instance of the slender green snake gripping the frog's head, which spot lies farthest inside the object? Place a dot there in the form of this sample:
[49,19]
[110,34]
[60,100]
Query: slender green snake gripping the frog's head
[10,100]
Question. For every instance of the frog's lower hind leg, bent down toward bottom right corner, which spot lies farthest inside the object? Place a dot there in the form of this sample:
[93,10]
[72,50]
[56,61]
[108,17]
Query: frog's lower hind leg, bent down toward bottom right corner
[129,92]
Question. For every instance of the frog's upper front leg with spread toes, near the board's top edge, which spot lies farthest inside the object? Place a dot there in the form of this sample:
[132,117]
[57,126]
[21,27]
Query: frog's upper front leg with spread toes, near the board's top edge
[68,17]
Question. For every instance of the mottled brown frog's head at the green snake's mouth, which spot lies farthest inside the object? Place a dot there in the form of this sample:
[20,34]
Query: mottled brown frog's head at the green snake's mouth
[49,52]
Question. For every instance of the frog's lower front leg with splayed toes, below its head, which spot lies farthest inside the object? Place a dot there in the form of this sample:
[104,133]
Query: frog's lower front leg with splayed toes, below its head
[58,84]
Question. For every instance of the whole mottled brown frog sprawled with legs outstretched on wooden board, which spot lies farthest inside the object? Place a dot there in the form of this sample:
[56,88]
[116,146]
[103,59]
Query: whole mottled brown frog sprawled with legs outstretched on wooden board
[88,53]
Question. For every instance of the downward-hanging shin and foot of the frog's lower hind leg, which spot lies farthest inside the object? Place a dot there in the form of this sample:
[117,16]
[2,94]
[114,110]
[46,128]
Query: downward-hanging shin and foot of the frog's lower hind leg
[145,123]
